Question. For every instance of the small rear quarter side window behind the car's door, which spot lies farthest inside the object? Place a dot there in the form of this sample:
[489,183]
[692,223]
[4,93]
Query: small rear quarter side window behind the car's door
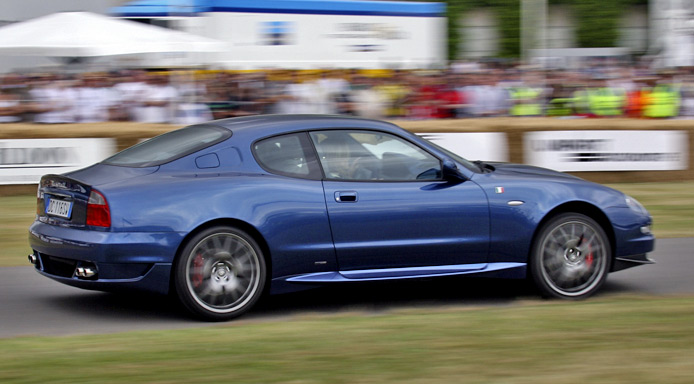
[287,155]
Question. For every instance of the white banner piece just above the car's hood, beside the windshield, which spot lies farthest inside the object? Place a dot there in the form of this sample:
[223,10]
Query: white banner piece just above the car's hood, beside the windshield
[487,146]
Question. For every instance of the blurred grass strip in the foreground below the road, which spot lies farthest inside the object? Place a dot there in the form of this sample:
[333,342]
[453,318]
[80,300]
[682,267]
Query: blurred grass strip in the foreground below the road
[616,340]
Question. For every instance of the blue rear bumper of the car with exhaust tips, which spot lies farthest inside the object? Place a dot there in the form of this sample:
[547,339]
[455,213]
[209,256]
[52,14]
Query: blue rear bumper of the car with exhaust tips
[119,261]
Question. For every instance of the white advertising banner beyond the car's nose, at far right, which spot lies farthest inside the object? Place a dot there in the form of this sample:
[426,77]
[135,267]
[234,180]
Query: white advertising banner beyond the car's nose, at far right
[579,151]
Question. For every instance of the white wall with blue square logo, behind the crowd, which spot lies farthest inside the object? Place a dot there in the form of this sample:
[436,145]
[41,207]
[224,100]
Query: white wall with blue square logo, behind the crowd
[307,41]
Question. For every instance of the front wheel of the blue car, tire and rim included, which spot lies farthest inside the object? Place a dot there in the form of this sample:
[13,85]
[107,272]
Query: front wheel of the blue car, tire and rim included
[570,257]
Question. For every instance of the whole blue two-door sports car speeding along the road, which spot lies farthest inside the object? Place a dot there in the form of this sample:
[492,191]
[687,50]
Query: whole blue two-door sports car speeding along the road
[220,213]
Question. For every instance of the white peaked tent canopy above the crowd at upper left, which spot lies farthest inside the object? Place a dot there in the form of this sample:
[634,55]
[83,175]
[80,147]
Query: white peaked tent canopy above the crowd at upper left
[84,34]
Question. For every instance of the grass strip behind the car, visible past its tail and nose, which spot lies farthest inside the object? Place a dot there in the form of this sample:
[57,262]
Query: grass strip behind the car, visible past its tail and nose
[671,204]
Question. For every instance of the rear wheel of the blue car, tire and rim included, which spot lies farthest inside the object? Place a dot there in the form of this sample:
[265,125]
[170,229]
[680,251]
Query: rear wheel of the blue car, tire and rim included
[220,273]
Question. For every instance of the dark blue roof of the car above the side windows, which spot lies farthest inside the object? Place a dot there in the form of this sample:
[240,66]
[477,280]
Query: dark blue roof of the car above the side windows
[267,125]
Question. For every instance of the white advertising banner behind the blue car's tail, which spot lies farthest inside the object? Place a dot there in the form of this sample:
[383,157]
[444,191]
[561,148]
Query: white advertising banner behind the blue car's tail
[24,161]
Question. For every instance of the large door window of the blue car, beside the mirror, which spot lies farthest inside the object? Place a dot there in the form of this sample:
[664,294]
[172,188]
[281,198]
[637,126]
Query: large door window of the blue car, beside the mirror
[373,156]
